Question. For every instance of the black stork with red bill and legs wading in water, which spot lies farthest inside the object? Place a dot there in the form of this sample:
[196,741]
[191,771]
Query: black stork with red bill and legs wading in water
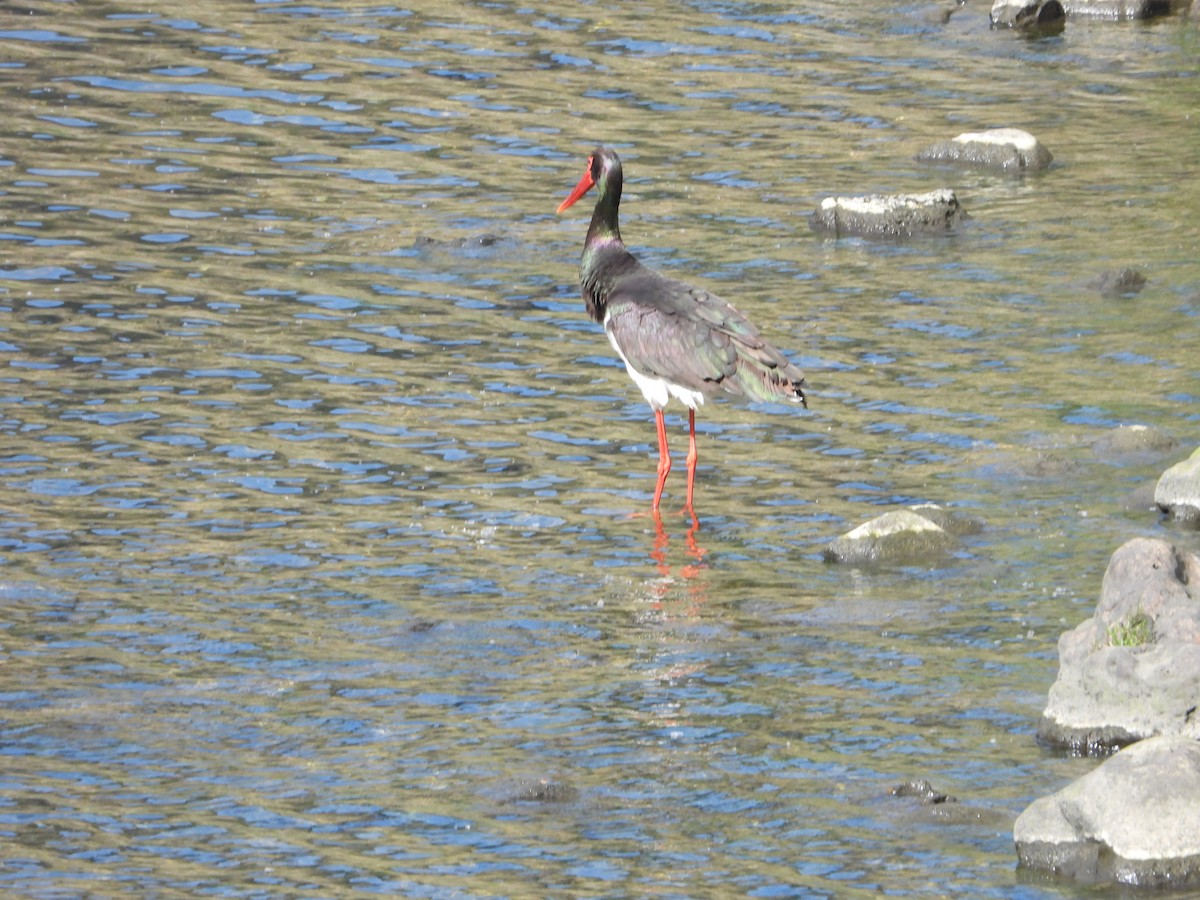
[676,341]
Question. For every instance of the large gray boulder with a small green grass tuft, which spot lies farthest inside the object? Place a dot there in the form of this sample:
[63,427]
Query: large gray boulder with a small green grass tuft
[1133,670]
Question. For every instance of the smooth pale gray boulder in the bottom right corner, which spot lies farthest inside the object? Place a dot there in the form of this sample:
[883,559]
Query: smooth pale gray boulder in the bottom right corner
[1135,820]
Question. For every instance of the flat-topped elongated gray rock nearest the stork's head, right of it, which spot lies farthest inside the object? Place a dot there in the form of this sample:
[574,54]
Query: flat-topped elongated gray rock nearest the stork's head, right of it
[902,215]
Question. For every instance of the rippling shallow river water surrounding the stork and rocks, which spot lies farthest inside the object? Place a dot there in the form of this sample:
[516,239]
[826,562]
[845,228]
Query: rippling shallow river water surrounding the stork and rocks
[320,568]
